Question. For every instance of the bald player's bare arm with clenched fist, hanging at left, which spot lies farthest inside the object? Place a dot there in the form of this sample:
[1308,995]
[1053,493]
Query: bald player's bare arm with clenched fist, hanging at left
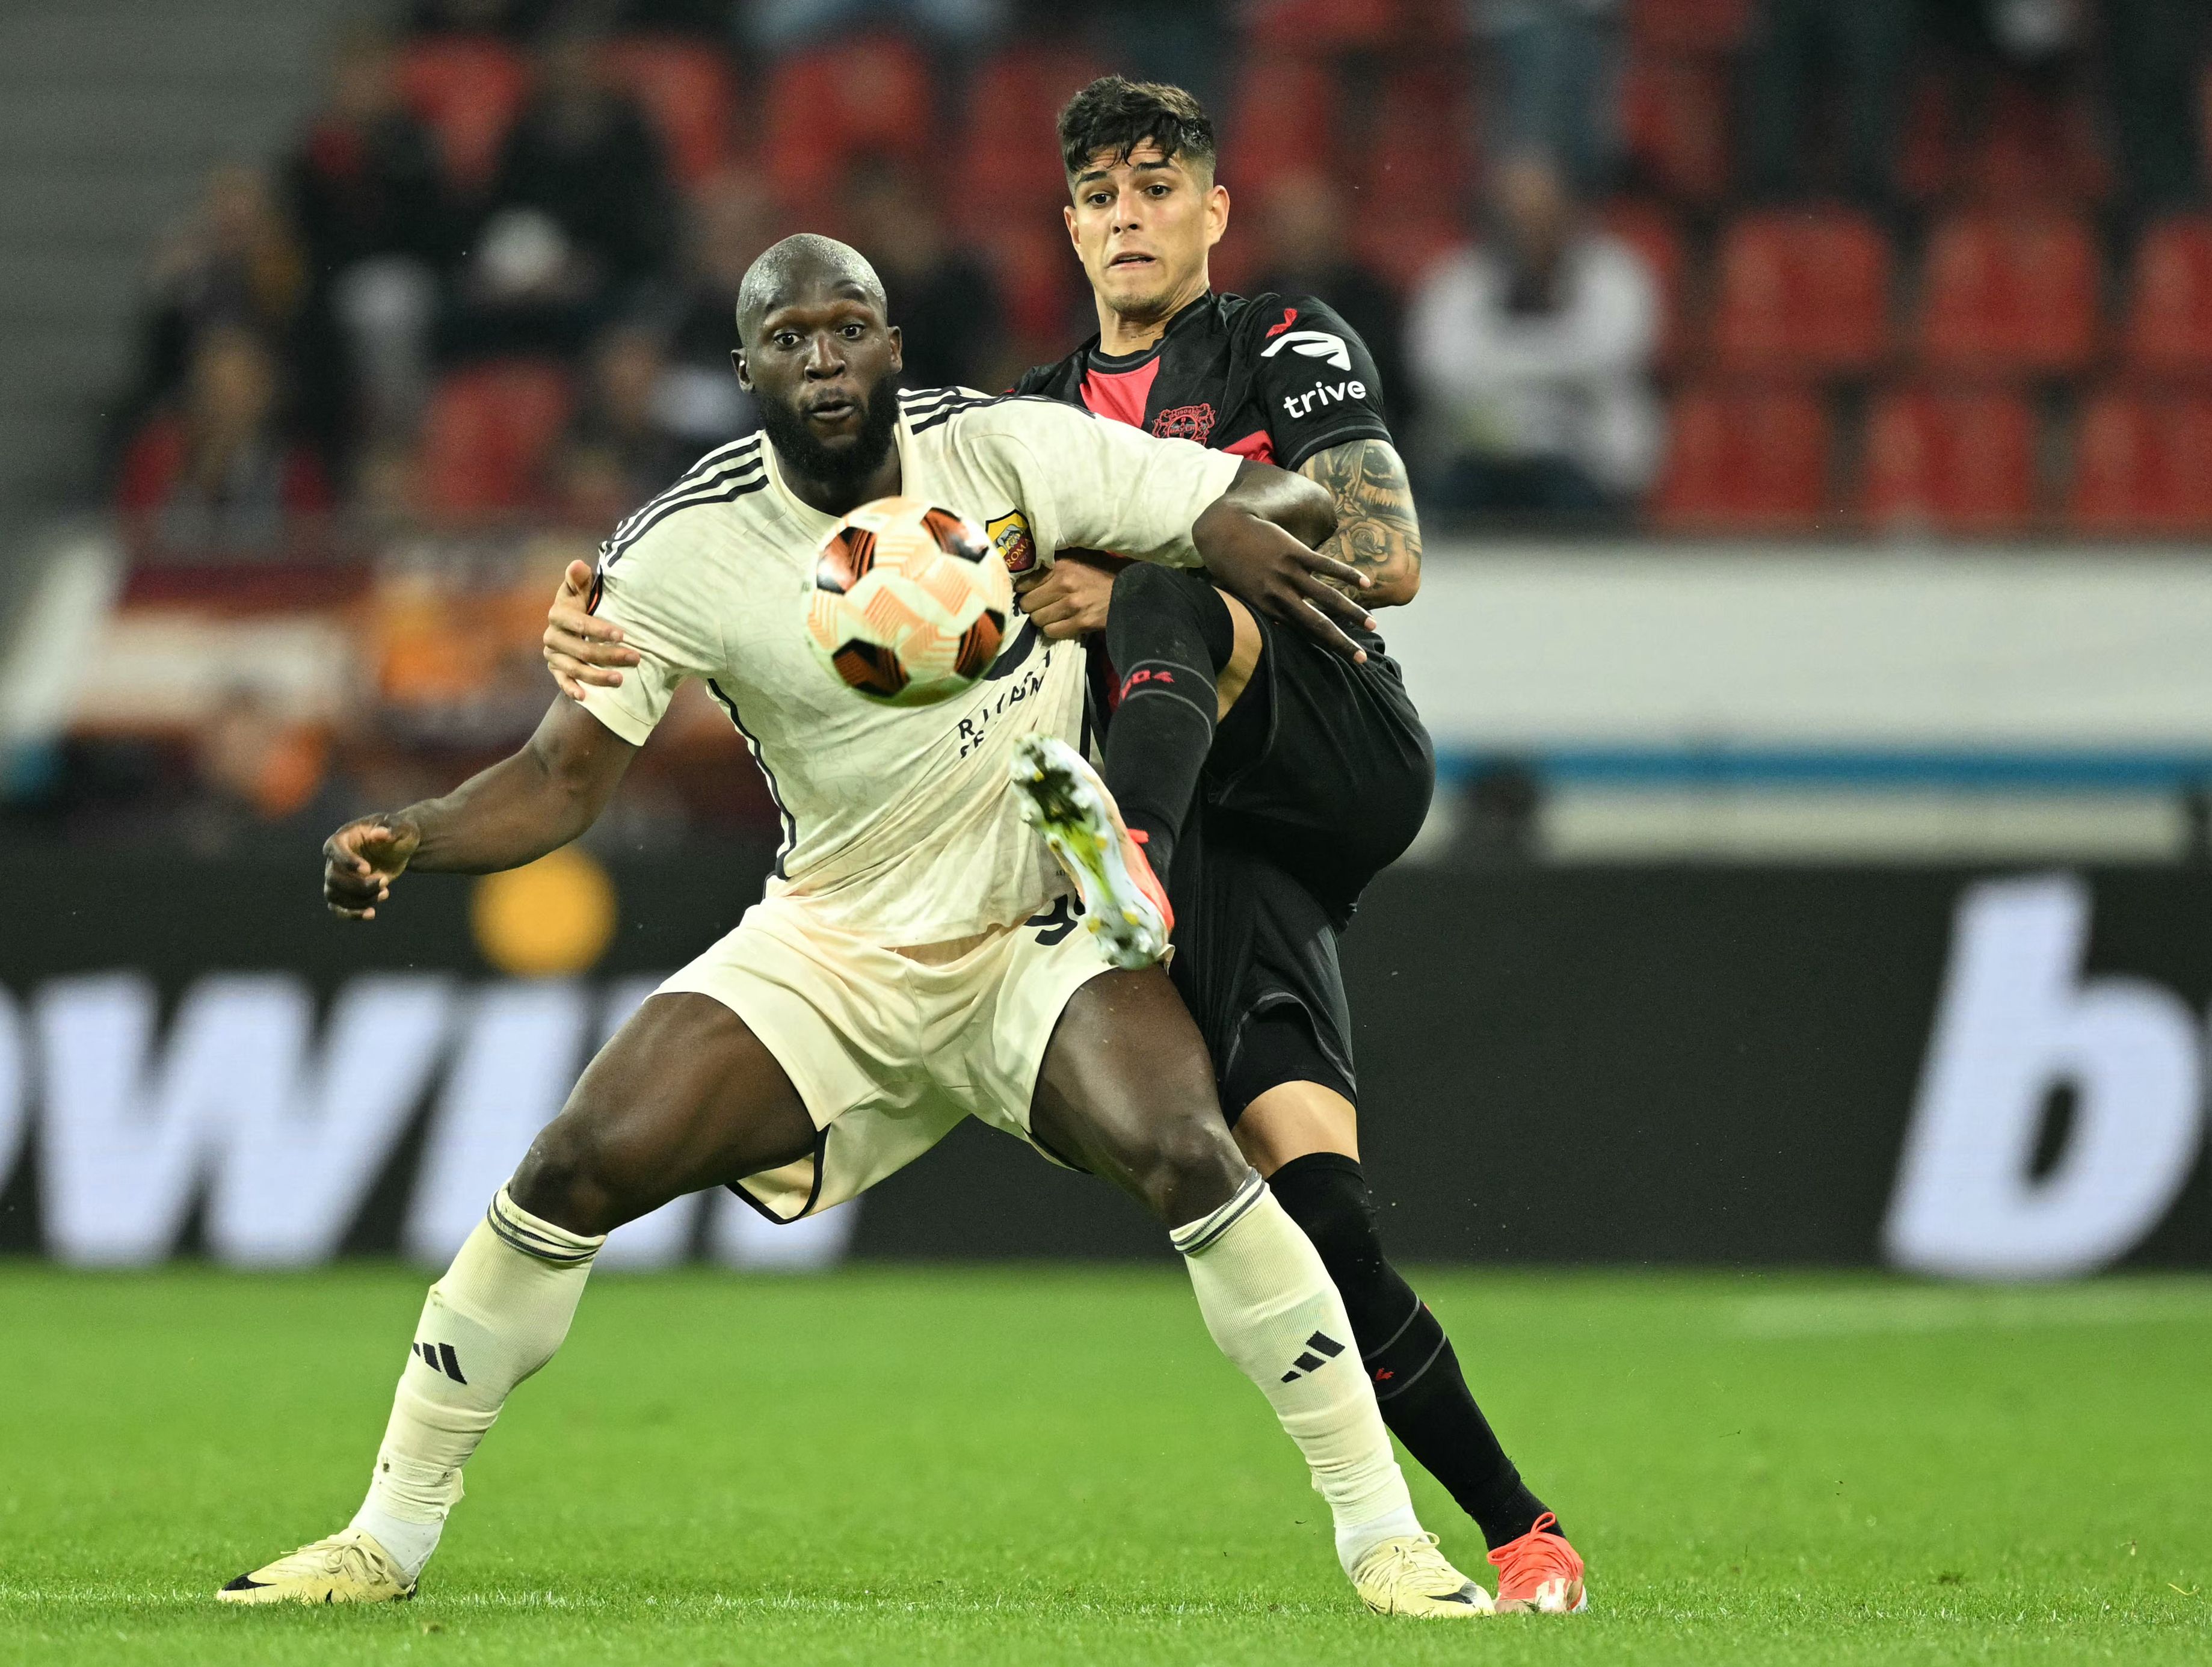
[501,819]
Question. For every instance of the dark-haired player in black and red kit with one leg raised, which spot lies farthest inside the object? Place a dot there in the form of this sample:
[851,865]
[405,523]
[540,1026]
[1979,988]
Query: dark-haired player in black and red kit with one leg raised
[1264,775]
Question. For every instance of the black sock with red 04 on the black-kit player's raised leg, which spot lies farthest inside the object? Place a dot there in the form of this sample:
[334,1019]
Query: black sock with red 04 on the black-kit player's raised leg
[1169,636]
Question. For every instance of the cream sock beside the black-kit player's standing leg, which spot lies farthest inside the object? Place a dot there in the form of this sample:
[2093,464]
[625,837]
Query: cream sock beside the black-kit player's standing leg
[1273,1310]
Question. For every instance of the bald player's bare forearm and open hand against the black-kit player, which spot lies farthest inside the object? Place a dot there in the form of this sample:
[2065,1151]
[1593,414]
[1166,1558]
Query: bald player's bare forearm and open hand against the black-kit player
[1260,545]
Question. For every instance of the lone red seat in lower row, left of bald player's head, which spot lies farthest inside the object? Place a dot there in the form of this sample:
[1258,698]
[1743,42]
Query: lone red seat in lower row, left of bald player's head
[488,437]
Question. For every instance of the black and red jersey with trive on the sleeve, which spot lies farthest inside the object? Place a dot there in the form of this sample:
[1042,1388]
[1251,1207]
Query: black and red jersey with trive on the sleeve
[1269,377]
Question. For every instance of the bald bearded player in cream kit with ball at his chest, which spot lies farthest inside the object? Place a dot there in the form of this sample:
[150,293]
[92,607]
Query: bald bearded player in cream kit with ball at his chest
[906,967]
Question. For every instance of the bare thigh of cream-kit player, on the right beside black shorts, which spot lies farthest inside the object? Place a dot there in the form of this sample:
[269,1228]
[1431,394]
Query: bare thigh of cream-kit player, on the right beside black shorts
[1129,1091]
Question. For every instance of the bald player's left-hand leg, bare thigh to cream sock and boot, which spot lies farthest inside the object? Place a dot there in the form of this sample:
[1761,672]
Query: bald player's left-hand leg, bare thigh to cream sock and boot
[685,1098]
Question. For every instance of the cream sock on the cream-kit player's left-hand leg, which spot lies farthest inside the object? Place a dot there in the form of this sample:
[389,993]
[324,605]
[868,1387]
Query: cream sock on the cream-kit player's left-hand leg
[497,1317]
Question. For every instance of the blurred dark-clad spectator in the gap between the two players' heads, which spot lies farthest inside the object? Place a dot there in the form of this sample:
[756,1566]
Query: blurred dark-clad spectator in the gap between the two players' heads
[939,295]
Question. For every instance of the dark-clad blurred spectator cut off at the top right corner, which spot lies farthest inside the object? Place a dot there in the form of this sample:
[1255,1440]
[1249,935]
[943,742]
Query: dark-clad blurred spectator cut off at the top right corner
[2156,72]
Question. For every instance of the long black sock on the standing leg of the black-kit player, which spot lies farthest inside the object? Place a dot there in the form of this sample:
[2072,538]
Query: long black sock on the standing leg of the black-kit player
[1408,1354]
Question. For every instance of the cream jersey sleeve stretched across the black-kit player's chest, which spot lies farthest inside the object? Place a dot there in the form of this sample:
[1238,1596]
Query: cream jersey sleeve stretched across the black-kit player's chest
[1094,485]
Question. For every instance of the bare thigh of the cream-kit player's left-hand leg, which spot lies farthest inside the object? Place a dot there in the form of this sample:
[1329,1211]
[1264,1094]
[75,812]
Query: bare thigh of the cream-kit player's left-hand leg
[685,1098]
